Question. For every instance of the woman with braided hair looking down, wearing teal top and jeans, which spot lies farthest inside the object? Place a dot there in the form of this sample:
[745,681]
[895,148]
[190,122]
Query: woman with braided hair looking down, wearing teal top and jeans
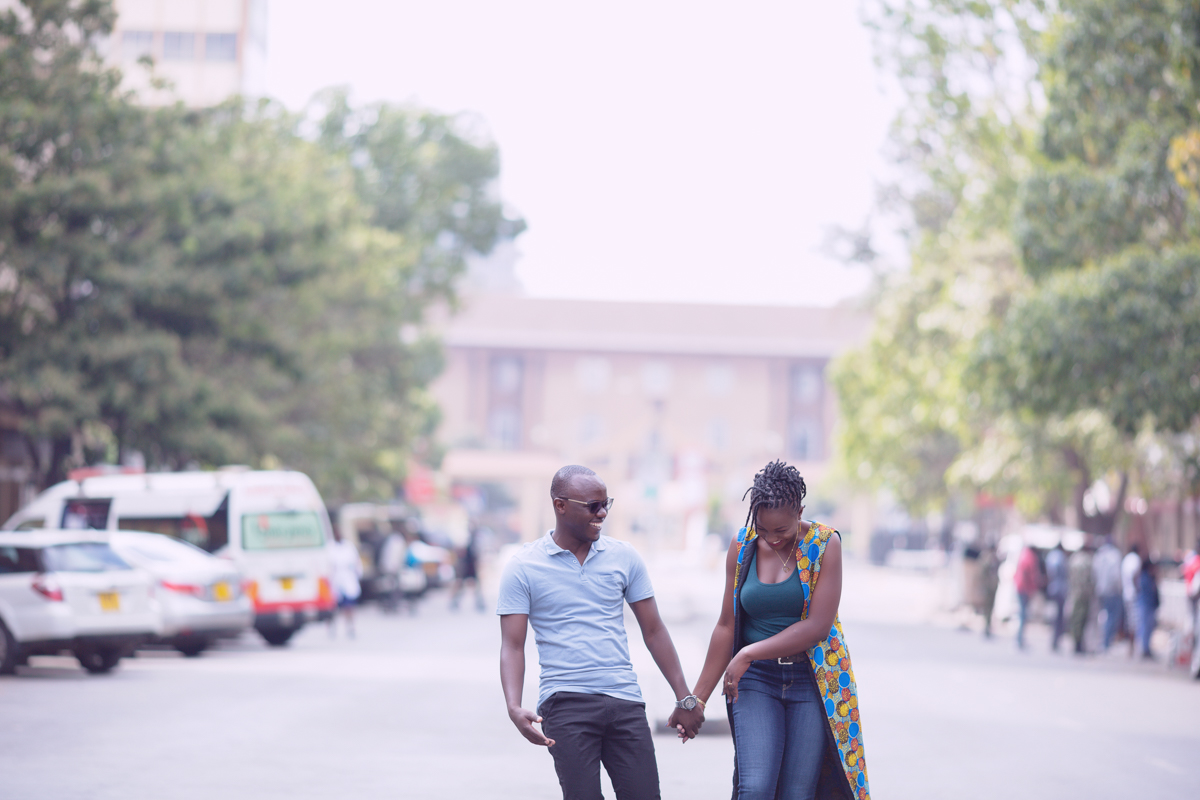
[788,681]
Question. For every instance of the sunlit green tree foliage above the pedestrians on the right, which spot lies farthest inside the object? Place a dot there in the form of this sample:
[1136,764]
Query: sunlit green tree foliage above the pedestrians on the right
[1088,165]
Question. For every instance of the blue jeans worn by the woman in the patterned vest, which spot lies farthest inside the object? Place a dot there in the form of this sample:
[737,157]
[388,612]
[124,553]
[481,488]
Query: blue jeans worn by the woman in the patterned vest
[781,731]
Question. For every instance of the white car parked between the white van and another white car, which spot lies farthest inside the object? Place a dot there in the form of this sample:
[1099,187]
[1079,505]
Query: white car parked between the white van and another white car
[201,597]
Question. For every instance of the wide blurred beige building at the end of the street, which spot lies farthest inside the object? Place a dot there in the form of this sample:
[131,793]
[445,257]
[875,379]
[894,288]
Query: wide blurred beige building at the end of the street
[675,406]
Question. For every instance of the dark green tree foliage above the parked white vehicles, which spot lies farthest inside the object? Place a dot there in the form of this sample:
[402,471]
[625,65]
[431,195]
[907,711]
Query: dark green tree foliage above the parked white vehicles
[214,286]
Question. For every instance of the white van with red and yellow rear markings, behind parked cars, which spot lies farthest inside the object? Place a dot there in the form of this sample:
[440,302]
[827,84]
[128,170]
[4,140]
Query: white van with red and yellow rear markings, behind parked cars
[272,525]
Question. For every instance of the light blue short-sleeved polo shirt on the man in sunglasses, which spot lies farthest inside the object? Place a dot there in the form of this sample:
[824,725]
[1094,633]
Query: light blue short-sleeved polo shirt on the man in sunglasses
[578,613]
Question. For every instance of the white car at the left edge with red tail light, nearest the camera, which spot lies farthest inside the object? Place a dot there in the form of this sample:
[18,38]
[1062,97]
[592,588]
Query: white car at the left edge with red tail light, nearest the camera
[69,592]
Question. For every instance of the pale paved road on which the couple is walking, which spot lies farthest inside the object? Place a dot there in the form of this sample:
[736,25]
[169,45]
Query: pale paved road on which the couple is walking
[412,709]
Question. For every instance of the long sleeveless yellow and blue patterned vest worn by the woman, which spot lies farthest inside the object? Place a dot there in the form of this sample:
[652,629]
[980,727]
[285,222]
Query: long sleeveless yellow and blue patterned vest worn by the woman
[831,666]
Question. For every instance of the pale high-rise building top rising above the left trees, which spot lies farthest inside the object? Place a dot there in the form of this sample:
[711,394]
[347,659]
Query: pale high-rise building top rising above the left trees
[206,50]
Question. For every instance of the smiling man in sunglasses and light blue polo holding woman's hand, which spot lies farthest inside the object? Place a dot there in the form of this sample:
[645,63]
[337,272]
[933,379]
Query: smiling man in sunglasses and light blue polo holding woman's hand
[572,587]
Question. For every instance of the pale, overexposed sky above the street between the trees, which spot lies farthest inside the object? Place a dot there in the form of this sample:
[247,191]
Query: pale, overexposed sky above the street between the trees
[658,151]
